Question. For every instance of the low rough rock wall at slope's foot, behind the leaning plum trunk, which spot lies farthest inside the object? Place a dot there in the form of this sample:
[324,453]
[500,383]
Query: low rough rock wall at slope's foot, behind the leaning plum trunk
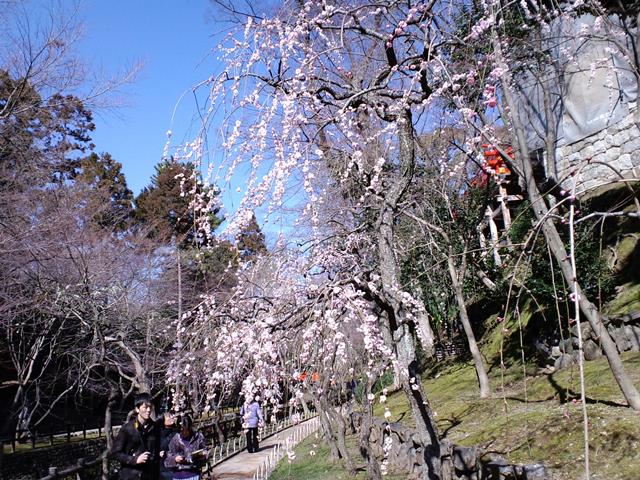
[405,452]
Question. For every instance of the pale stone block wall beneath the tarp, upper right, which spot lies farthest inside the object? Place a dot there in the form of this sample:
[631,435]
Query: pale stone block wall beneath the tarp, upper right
[617,146]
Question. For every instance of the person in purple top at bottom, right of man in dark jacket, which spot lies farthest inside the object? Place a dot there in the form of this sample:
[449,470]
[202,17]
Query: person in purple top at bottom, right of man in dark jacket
[187,452]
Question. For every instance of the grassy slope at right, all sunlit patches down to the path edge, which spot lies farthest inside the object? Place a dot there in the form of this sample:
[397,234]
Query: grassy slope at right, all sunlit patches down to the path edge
[529,418]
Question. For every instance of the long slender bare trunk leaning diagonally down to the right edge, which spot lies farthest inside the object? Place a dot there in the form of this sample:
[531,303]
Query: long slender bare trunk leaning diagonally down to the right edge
[556,245]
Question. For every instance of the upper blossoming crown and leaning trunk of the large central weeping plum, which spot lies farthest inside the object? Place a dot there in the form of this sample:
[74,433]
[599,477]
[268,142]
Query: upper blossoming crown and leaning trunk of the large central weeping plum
[323,81]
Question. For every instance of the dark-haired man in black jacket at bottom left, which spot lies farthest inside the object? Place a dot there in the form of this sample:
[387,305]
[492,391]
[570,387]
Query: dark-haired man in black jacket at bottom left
[136,446]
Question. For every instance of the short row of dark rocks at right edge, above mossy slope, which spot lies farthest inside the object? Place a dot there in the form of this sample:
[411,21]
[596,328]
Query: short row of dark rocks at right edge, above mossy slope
[624,331]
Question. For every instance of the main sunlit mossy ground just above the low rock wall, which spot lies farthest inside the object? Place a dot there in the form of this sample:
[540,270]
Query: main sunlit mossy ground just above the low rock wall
[538,418]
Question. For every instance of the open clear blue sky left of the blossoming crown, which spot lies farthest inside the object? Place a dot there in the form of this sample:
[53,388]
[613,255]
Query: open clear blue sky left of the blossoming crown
[174,39]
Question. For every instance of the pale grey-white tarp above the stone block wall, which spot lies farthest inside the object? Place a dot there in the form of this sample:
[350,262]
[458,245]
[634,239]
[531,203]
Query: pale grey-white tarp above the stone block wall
[590,81]
